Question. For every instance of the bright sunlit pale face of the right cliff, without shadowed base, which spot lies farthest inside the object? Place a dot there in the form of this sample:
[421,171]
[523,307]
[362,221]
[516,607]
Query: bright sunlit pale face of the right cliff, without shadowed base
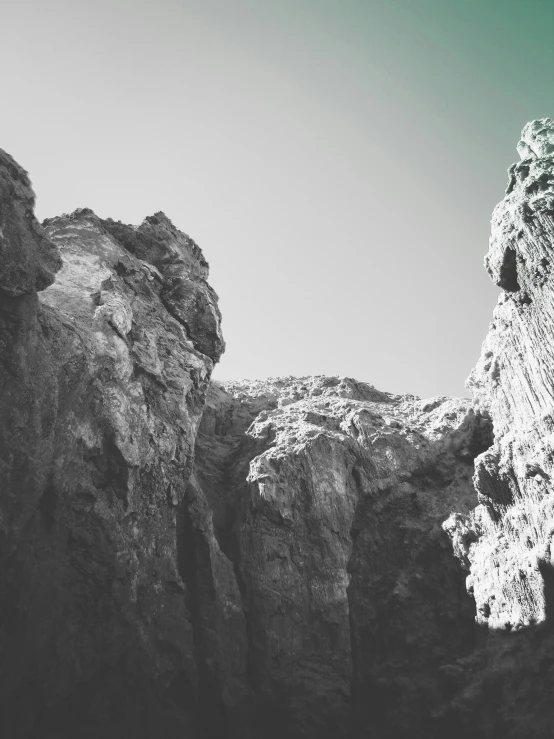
[514,383]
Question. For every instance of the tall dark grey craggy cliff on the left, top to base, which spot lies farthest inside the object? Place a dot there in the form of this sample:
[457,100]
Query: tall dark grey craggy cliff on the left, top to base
[105,358]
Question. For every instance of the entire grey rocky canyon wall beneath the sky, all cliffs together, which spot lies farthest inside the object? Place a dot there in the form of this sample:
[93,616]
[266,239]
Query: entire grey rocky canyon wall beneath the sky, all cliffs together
[304,557]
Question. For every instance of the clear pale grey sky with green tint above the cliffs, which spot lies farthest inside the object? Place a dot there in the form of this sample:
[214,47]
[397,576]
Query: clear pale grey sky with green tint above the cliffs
[336,160]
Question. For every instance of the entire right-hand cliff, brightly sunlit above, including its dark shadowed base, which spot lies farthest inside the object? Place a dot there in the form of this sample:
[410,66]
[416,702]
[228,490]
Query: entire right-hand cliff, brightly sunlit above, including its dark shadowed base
[507,541]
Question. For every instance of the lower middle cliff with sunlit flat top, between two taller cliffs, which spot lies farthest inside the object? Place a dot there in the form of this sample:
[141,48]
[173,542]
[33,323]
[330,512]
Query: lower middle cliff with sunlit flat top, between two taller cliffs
[328,498]
